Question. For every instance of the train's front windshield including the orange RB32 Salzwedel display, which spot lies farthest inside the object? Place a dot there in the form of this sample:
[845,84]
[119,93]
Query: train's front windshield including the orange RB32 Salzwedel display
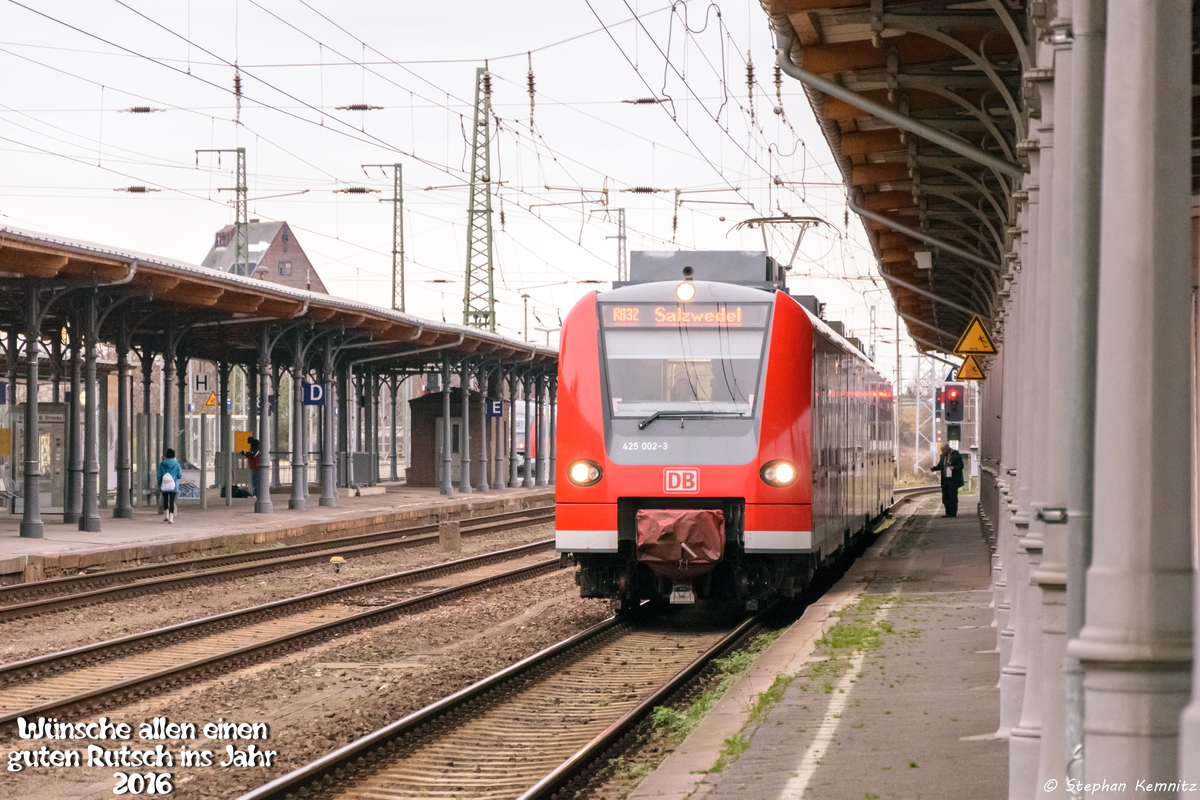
[683,359]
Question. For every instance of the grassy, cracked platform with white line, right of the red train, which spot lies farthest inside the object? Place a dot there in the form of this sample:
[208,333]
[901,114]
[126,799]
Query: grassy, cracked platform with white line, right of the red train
[886,687]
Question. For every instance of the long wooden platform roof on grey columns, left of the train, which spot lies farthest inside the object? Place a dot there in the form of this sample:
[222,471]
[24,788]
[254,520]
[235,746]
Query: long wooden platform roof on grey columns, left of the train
[221,314]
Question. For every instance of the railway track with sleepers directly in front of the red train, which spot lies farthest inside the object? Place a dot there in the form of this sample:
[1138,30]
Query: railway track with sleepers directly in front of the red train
[526,732]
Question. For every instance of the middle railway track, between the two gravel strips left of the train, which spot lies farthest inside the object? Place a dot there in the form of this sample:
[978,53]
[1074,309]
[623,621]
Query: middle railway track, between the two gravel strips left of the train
[119,671]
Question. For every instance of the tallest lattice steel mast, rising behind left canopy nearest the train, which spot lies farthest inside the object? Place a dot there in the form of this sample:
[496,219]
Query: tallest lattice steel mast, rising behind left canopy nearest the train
[479,294]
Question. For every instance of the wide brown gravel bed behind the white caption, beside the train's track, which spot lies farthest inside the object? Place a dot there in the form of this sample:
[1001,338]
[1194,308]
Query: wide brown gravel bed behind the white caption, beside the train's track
[325,697]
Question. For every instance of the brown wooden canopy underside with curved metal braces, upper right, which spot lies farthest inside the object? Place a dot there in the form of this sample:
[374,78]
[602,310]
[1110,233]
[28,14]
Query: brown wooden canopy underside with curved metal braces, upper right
[925,106]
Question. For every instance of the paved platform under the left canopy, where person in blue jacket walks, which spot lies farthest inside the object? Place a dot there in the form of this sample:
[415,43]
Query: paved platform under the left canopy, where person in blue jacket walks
[220,530]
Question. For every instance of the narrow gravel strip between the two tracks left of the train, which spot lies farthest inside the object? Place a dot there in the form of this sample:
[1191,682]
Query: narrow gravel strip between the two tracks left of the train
[27,639]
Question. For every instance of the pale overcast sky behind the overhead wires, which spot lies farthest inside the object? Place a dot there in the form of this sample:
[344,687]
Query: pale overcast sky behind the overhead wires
[73,69]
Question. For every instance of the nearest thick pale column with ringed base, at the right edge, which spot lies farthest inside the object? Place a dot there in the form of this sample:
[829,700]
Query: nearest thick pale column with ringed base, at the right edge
[1137,643]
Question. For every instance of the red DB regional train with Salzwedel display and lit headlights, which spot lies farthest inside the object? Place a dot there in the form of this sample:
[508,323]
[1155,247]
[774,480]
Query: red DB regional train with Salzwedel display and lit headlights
[716,438]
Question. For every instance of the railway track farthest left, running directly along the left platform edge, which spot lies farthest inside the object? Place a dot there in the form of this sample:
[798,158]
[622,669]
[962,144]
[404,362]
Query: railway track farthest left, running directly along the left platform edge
[57,594]
